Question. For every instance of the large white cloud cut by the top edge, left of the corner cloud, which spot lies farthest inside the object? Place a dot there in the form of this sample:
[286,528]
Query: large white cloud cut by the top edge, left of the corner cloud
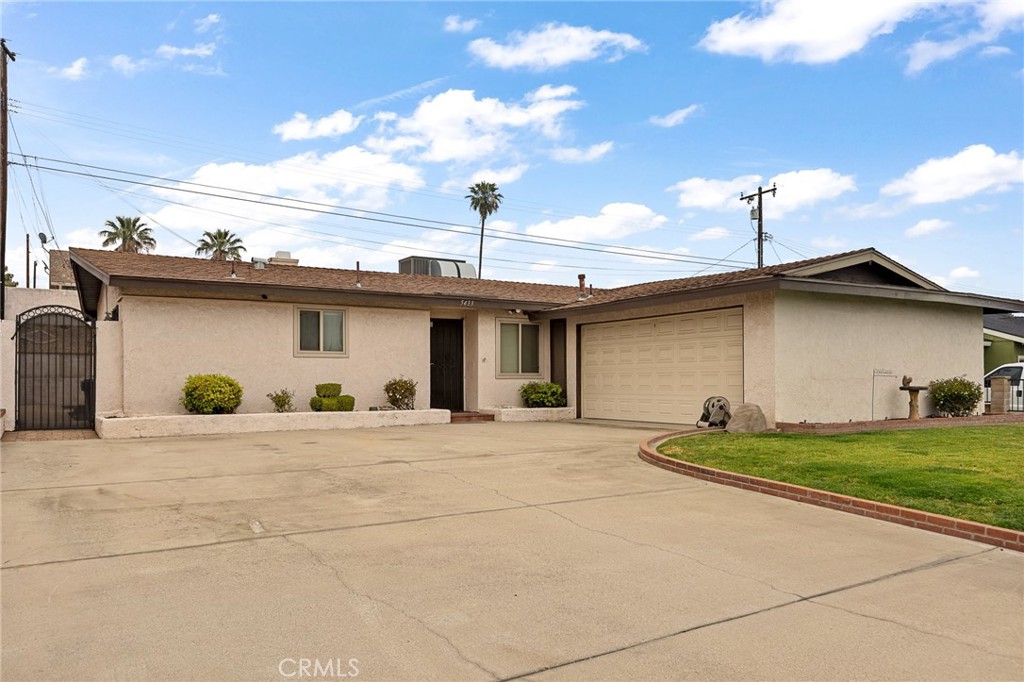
[808,31]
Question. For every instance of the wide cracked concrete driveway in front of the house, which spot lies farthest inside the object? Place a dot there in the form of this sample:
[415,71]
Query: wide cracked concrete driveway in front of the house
[468,552]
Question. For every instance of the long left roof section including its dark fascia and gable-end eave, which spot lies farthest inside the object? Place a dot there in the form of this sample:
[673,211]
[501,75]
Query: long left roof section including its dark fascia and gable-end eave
[170,276]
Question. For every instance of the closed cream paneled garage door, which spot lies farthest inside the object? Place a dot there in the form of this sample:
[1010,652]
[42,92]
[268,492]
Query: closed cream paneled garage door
[662,369]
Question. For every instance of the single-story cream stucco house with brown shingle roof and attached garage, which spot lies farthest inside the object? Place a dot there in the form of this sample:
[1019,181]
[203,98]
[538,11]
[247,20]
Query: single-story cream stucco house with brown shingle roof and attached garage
[821,340]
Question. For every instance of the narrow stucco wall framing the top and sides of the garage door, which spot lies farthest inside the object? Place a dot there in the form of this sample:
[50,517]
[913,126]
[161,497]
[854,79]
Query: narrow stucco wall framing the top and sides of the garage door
[759,342]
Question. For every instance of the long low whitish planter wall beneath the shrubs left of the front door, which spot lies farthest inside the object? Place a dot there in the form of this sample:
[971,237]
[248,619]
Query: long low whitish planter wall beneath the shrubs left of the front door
[181,425]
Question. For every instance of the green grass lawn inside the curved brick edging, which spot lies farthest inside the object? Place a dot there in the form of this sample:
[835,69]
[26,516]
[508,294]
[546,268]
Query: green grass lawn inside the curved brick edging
[974,474]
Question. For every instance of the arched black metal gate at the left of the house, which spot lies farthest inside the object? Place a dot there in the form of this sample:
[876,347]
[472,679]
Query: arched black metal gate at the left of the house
[57,370]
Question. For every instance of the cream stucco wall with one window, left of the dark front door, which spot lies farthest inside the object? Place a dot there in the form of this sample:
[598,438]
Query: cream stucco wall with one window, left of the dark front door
[167,339]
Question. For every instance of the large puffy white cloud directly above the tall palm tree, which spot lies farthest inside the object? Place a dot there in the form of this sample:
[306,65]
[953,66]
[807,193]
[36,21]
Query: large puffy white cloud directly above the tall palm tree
[457,126]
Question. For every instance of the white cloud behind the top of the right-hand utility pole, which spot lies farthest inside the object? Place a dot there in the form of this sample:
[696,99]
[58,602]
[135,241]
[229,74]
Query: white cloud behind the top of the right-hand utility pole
[797,190]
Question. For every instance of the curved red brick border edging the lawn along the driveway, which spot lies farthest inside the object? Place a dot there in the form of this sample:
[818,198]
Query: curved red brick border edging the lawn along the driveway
[991,535]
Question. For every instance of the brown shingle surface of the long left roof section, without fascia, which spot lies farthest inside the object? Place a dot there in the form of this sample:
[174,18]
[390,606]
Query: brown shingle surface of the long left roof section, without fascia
[174,269]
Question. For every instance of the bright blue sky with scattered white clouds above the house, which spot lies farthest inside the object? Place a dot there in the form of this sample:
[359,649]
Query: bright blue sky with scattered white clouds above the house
[628,131]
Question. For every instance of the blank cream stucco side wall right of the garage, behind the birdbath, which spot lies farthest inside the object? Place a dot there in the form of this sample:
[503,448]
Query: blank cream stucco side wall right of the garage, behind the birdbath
[842,358]
